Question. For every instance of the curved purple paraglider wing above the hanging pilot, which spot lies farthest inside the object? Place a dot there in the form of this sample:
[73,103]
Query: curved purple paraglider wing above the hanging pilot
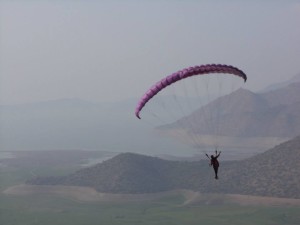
[185,73]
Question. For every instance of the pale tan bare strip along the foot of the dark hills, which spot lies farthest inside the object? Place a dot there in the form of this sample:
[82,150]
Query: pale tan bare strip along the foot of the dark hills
[86,194]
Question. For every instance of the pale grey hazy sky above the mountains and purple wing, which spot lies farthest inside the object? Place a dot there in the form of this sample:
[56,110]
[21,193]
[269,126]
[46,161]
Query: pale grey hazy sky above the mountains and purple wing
[113,50]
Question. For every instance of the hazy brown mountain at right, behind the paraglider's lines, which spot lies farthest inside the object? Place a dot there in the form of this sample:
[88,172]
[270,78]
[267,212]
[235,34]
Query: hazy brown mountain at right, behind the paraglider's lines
[243,115]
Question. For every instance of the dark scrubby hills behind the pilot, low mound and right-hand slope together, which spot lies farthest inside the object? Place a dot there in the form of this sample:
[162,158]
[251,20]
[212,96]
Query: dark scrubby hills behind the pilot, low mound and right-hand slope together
[274,173]
